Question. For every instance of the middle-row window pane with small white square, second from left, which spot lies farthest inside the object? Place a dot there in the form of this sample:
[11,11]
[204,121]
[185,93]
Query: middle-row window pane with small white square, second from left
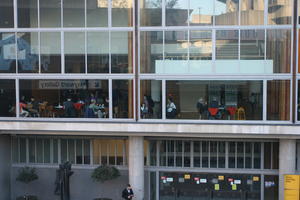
[28,50]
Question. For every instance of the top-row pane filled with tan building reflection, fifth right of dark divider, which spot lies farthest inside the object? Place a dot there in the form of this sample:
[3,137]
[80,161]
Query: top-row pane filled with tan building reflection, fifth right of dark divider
[252,12]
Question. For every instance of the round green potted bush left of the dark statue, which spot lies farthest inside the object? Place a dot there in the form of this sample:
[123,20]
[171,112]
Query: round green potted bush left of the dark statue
[27,175]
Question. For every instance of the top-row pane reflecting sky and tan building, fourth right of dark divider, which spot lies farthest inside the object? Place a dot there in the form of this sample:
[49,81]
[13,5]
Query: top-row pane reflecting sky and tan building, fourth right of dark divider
[227,12]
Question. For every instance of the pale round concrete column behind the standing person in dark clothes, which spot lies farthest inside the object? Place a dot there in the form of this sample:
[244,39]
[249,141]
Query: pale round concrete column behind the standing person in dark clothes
[136,166]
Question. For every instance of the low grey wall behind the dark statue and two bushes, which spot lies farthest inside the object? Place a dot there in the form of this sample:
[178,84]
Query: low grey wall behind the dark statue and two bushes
[82,187]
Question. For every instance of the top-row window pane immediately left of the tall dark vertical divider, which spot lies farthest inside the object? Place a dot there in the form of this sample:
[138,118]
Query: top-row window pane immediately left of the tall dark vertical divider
[122,15]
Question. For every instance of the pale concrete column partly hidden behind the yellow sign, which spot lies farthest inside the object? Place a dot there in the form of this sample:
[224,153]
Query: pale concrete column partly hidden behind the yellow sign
[287,162]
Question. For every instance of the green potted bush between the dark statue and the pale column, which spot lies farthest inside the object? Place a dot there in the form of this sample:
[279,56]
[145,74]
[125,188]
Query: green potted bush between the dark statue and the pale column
[105,173]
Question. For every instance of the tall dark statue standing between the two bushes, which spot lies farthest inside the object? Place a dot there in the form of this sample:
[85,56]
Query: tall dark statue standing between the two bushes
[62,183]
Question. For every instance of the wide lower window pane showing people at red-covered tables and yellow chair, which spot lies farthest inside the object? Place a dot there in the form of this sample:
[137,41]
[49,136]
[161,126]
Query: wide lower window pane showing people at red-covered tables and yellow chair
[214,100]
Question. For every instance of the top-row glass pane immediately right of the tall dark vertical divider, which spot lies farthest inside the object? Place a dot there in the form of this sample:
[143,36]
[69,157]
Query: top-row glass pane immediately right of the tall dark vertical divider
[151,12]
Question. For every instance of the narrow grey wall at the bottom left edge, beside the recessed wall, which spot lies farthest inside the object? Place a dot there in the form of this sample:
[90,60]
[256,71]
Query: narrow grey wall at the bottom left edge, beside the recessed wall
[5,165]
